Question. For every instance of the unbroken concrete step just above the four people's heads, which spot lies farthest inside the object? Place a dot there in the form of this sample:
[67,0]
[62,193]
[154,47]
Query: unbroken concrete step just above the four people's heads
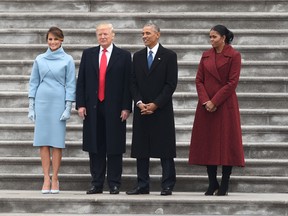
[132,20]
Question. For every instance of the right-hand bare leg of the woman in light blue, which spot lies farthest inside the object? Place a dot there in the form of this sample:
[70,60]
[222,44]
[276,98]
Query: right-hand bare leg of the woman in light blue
[56,161]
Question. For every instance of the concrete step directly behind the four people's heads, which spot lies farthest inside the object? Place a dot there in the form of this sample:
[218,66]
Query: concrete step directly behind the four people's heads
[168,36]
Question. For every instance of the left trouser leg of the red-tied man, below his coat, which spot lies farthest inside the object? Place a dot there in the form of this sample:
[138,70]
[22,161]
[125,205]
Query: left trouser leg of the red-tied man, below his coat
[97,169]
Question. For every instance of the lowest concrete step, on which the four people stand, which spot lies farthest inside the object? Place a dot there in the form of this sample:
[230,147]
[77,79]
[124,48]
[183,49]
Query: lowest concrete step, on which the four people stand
[31,202]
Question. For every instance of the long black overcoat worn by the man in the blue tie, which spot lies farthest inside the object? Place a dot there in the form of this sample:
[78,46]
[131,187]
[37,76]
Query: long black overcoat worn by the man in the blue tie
[154,135]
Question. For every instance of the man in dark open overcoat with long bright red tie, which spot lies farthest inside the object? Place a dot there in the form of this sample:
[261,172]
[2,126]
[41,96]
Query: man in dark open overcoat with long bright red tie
[104,114]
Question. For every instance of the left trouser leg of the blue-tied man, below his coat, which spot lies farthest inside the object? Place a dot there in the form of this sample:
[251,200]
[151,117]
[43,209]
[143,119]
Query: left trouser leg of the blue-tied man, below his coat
[143,177]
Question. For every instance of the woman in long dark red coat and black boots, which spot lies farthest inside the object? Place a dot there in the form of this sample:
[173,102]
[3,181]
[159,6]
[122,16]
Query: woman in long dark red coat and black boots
[216,135]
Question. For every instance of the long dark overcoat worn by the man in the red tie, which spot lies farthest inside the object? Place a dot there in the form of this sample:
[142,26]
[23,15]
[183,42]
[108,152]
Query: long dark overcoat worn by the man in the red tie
[117,97]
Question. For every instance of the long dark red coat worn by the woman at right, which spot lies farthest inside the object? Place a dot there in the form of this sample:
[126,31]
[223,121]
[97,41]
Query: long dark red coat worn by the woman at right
[216,137]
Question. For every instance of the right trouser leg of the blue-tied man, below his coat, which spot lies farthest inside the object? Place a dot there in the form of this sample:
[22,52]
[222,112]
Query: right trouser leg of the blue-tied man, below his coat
[168,173]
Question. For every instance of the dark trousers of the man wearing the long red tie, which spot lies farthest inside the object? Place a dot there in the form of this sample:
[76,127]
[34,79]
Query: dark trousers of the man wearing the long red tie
[101,161]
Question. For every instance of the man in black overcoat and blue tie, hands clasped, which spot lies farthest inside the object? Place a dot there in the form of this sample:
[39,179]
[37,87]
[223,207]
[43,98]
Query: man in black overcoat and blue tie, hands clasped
[152,88]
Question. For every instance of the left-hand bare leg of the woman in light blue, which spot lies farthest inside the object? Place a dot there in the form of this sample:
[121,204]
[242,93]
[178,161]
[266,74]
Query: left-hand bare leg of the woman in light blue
[45,160]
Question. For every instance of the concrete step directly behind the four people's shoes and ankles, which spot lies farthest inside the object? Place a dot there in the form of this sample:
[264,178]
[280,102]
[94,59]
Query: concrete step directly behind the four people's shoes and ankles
[185,183]
